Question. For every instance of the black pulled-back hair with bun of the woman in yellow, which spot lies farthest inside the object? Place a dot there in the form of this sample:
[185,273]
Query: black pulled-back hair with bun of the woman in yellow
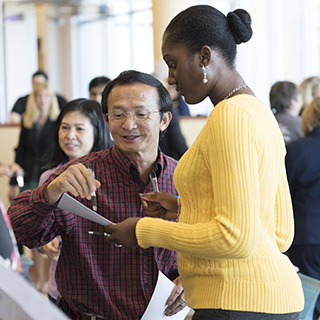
[205,25]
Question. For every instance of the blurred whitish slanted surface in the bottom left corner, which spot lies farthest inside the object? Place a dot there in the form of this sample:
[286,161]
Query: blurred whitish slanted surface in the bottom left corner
[19,300]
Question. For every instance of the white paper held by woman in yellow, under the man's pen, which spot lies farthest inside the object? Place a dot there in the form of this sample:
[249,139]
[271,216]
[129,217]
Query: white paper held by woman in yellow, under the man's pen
[72,205]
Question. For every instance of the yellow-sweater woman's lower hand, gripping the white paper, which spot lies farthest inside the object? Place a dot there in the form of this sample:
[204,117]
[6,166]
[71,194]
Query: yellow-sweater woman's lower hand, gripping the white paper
[123,233]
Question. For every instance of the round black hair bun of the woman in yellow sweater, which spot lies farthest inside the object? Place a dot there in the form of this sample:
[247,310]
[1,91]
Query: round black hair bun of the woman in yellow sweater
[240,24]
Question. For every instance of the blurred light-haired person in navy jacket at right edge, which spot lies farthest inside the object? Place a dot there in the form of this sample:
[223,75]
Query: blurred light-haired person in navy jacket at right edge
[303,171]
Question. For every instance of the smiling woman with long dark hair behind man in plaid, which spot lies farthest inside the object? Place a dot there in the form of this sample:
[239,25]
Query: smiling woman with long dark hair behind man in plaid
[80,129]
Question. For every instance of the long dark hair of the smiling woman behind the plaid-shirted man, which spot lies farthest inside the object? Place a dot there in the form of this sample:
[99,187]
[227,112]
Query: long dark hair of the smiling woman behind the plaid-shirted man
[90,109]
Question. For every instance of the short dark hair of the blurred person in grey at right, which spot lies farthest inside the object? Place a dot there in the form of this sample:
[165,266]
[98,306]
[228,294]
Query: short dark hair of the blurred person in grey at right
[280,95]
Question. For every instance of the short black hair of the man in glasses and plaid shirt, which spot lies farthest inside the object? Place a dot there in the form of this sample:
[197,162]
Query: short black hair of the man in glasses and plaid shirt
[132,77]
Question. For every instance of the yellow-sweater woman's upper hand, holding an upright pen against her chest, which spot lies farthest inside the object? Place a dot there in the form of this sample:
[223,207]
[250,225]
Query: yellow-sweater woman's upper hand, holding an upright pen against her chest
[160,205]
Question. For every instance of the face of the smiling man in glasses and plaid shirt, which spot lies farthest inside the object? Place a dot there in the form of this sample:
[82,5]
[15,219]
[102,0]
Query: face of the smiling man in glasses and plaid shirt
[132,137]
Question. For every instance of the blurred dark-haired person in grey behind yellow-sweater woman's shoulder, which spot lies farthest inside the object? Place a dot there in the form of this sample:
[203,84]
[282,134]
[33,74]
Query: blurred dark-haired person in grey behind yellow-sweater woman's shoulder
[286,102]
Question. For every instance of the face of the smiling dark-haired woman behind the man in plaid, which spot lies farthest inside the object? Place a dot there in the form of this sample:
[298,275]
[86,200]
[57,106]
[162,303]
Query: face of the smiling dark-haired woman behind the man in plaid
[76,135]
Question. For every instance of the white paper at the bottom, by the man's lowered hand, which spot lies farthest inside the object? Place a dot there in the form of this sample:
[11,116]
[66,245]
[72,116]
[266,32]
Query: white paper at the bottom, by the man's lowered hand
[158,300]
